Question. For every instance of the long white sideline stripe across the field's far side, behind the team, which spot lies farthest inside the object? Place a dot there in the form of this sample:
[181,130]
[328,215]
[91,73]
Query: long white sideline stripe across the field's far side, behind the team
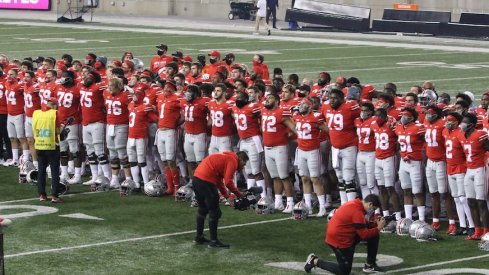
[285,38]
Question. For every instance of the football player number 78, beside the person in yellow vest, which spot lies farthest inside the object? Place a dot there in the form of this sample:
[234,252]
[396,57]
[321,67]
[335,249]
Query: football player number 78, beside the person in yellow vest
[68,96]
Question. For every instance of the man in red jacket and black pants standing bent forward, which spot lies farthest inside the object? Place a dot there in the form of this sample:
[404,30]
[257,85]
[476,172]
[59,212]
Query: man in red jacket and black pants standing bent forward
[215,172]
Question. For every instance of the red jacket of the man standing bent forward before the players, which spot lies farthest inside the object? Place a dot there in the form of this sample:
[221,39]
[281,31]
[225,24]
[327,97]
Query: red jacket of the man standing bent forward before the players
[219,169]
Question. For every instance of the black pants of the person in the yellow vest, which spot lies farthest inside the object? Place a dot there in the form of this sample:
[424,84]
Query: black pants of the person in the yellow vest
[45,158]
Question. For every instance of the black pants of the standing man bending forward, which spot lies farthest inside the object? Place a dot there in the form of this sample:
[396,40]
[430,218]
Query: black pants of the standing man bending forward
[208,200]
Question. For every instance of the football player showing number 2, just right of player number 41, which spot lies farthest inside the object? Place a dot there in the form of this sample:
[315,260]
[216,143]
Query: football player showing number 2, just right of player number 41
[456,169]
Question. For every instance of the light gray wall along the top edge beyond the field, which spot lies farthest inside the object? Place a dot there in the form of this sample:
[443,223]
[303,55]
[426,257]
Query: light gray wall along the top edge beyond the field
[215,9]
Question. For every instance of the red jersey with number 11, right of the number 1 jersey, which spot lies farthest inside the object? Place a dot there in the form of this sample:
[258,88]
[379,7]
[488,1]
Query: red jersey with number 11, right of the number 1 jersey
[195,115]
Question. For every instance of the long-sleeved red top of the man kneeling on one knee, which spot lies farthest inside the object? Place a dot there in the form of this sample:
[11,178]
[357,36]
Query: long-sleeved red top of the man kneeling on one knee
[347,222]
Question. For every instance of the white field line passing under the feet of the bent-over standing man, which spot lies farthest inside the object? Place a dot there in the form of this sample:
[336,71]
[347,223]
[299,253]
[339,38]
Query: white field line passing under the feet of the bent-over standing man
[135,239]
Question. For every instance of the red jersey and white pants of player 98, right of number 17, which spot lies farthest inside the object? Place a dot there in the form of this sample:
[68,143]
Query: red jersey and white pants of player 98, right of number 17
[385,151]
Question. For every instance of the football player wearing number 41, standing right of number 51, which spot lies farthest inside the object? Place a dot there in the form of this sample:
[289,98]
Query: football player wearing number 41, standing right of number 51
[436,166]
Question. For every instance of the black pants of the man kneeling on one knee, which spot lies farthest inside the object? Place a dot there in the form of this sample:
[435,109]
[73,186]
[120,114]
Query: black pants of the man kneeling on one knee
[344,256]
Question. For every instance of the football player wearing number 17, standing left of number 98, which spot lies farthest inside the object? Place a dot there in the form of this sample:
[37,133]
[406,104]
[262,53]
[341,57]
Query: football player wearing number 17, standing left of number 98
[366,150]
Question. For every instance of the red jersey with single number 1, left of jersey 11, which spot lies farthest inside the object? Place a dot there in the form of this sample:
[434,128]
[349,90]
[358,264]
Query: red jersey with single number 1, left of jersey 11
[168,110]
